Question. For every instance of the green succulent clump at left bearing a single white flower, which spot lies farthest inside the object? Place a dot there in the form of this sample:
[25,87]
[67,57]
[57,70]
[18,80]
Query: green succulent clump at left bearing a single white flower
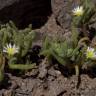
[14,46]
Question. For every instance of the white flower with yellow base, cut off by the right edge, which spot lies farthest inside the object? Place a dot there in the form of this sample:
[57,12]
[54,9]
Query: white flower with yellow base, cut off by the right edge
[90,53]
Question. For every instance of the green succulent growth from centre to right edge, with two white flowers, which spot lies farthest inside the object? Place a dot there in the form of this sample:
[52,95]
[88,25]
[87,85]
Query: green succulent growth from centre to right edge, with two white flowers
[78,51]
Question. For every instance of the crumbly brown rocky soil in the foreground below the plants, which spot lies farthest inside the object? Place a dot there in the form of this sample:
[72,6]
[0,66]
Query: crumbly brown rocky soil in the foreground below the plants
[48,80]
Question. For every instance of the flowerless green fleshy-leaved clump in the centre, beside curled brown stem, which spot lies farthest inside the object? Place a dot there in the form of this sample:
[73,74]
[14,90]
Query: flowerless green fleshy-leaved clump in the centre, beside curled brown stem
[66,53]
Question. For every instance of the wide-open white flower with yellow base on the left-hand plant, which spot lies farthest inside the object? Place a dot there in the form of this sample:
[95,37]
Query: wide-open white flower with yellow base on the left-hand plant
[11,49]
